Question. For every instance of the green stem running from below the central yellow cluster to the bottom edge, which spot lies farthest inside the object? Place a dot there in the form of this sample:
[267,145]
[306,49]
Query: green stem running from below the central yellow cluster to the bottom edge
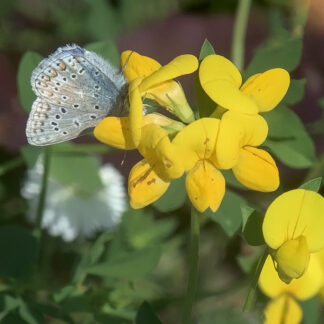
[194,264]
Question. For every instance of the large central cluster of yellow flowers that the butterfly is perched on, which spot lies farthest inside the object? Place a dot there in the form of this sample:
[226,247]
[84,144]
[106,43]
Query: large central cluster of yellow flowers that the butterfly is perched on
[228,139]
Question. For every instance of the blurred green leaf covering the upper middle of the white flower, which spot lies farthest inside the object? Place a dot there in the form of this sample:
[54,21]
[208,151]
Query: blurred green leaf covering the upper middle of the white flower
[79,171]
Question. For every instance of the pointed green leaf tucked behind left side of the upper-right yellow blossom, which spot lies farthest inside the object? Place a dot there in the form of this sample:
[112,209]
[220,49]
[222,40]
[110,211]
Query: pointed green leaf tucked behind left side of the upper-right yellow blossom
[205,105]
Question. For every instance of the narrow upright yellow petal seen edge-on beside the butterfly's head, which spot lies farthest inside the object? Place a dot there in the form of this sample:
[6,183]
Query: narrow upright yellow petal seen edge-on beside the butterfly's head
[135,111]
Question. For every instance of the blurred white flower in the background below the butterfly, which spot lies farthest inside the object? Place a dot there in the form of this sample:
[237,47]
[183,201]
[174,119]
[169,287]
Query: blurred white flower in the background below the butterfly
[70,215]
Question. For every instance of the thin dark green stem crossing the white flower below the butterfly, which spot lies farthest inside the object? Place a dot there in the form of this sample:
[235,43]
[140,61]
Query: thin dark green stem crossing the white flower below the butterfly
[42,195]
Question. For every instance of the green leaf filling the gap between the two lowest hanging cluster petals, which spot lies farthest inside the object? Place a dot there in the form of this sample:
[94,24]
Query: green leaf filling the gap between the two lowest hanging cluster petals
[174,198]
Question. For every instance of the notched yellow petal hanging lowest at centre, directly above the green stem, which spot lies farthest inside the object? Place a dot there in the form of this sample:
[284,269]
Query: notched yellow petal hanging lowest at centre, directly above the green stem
[205,186]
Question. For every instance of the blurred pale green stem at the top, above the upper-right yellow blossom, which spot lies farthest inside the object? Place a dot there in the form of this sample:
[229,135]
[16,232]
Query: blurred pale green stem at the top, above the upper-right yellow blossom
[239,32]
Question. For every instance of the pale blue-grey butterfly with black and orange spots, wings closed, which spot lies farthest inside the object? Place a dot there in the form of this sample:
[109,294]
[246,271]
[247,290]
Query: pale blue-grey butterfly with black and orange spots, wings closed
[75,89]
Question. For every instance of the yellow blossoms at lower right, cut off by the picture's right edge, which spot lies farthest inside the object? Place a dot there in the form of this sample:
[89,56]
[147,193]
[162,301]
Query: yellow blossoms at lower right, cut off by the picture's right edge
[294,270]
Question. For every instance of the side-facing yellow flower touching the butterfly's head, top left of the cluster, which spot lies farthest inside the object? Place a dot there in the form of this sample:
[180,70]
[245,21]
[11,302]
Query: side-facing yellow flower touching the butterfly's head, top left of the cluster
[150,80]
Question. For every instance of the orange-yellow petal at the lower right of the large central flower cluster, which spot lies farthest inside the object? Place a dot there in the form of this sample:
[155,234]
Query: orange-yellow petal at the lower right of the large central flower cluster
[256,170]
